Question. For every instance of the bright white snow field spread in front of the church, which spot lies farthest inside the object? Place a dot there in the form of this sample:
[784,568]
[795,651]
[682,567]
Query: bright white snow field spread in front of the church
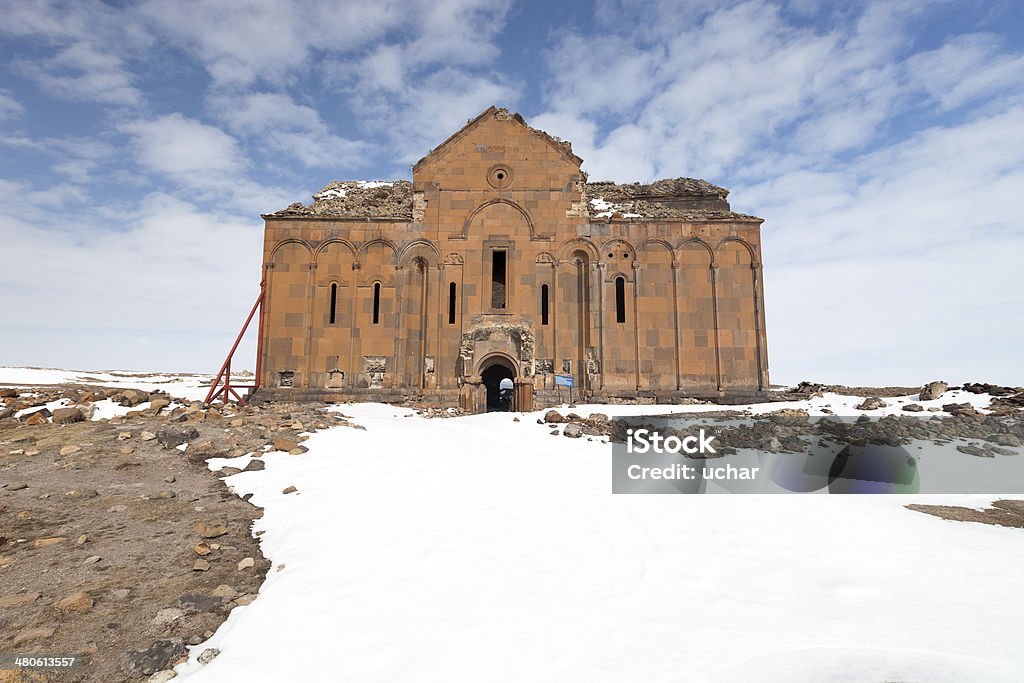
[484,549]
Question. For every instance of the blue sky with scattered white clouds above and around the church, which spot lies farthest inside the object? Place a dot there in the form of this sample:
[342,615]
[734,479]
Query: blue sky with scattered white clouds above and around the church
[883,143]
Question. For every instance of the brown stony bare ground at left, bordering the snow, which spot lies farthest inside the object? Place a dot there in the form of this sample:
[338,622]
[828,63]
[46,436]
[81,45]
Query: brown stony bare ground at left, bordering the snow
[116,540]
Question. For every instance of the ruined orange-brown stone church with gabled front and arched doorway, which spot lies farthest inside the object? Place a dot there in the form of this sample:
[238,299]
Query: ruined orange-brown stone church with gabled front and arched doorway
[501,261]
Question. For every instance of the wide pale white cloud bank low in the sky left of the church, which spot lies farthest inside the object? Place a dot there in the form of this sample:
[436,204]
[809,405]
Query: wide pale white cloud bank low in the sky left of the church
[99,290]
